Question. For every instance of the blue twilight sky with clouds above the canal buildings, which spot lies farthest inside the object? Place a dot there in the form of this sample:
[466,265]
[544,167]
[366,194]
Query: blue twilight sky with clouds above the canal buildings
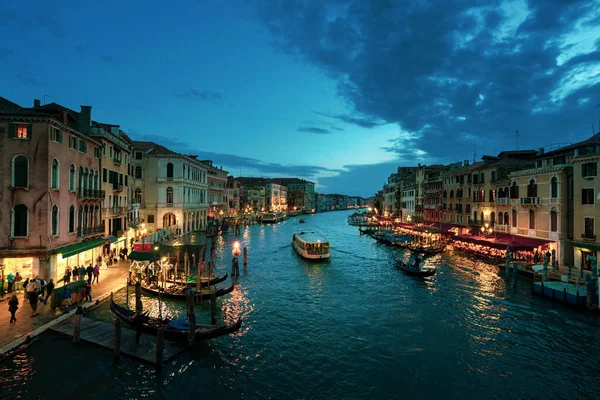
[337,92]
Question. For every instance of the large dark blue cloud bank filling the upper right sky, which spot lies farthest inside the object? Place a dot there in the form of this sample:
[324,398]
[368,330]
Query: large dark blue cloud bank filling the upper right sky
[453,76]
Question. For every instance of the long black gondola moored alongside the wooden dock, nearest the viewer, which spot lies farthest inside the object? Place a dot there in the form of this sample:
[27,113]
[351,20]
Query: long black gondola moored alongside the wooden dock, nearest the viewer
[175,330]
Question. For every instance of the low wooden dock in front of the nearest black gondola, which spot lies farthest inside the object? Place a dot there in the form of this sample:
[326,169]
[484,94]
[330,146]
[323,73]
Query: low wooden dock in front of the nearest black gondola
[102,334]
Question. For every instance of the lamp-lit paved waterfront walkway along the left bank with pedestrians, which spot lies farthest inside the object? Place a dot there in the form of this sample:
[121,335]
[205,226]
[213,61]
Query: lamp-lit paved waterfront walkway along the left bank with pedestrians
[15,334]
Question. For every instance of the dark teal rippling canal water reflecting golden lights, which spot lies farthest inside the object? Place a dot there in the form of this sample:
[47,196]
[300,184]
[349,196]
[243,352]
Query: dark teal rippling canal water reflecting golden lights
[351,327]
